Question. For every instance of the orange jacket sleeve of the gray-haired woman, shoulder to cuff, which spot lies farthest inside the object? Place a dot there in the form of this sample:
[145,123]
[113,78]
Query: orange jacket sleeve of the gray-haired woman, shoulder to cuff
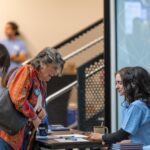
[19,92]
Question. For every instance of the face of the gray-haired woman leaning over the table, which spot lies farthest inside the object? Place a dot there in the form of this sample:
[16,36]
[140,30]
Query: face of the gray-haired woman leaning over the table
[48,71]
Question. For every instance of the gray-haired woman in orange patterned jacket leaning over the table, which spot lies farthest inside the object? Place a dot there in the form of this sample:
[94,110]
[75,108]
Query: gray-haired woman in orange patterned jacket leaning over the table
[31,79]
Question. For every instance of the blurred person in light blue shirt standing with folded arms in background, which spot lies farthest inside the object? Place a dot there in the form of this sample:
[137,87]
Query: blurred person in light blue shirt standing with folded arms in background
[16,47]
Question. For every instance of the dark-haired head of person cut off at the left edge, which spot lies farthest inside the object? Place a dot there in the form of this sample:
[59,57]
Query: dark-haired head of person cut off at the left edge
[4,62]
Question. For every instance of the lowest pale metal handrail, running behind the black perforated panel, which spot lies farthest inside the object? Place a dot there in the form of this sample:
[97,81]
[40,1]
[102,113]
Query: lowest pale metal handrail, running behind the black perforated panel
[68,87]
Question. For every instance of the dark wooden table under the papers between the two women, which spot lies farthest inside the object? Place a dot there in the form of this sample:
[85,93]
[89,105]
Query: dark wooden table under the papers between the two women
[53,144]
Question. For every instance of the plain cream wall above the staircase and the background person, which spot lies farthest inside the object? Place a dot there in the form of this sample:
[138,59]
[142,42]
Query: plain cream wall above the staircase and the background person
[47,22]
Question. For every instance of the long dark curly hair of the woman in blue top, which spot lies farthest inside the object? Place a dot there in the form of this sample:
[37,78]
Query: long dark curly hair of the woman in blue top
[136,82]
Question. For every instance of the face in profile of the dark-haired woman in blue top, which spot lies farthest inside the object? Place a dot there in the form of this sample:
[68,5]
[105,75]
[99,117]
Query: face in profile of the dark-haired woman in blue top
[119,85]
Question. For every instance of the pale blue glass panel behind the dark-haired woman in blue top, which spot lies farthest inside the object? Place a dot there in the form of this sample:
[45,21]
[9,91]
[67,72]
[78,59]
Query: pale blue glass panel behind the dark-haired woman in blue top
[133,35]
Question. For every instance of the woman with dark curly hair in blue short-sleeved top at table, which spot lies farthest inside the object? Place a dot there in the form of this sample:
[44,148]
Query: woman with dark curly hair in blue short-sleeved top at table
[134,84]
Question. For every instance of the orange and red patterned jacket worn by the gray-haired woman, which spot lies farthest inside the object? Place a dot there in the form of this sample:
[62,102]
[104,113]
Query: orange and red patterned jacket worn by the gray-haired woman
[19,89]
